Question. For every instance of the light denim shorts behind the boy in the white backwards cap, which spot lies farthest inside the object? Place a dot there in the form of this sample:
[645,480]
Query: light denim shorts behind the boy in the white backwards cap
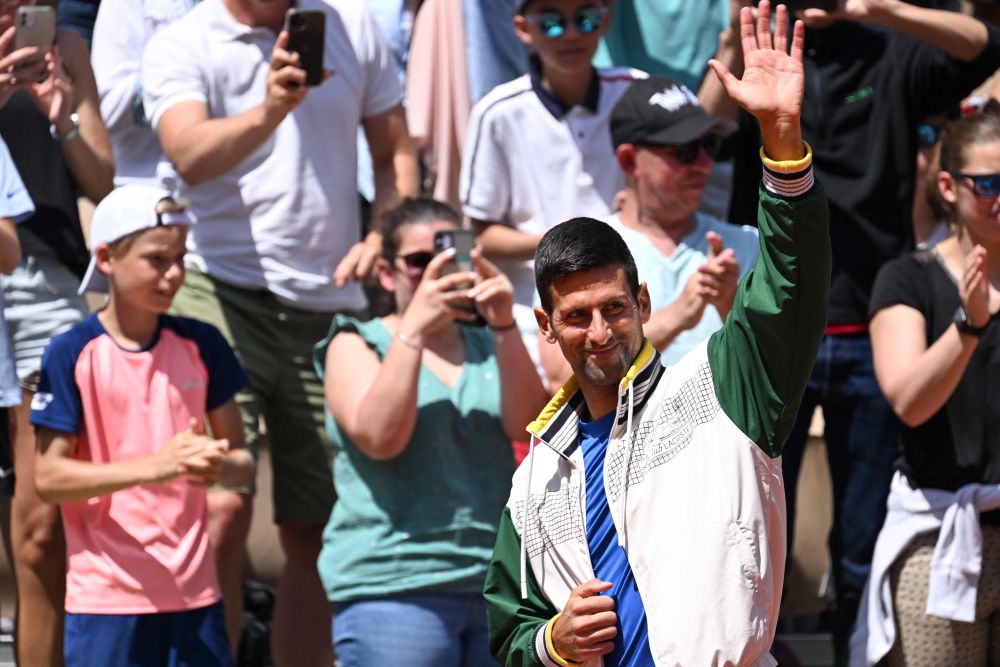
[41,301]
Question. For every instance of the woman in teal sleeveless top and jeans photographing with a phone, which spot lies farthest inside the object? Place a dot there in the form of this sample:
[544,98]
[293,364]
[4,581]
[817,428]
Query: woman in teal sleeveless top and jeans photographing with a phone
[421,413]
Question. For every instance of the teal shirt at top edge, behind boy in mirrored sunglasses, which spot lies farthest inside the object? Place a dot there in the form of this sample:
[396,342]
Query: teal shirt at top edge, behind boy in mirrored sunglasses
[672,38]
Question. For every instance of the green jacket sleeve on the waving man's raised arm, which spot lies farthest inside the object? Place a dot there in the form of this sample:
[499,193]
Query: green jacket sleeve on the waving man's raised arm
[764,354]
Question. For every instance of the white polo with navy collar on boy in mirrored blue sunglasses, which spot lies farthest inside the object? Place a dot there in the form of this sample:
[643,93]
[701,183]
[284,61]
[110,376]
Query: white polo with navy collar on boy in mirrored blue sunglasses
[531,164]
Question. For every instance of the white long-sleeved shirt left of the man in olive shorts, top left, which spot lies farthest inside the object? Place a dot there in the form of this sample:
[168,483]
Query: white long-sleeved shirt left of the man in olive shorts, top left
[121,31]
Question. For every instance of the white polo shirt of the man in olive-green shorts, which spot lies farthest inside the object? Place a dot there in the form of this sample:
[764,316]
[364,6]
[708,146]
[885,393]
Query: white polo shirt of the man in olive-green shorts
[284,217]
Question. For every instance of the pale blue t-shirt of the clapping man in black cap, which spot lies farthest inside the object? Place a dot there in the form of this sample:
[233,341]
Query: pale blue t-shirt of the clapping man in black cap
[665,276]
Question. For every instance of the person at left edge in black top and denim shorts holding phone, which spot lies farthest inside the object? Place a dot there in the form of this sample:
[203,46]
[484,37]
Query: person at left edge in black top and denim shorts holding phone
[50,120]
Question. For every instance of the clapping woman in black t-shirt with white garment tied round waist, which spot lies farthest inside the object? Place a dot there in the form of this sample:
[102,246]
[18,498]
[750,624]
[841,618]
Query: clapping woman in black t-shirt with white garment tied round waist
[936,346]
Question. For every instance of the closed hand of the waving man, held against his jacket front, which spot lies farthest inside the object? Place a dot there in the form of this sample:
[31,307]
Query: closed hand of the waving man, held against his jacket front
[586,628]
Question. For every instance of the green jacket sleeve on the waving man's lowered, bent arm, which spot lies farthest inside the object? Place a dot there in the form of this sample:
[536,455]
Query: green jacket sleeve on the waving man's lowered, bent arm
[514,623]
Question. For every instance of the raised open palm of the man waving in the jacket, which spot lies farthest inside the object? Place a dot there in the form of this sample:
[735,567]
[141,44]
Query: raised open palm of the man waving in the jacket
[773,79]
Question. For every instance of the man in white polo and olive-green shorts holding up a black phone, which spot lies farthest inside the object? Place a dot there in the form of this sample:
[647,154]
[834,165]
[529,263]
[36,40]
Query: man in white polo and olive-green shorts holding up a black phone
[267,164]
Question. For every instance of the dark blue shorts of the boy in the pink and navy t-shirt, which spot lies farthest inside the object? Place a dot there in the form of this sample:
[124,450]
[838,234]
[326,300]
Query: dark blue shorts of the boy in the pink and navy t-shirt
[194,638]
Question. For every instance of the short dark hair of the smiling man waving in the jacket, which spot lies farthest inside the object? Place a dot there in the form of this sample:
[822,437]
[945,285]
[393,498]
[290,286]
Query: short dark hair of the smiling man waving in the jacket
[578,245]
